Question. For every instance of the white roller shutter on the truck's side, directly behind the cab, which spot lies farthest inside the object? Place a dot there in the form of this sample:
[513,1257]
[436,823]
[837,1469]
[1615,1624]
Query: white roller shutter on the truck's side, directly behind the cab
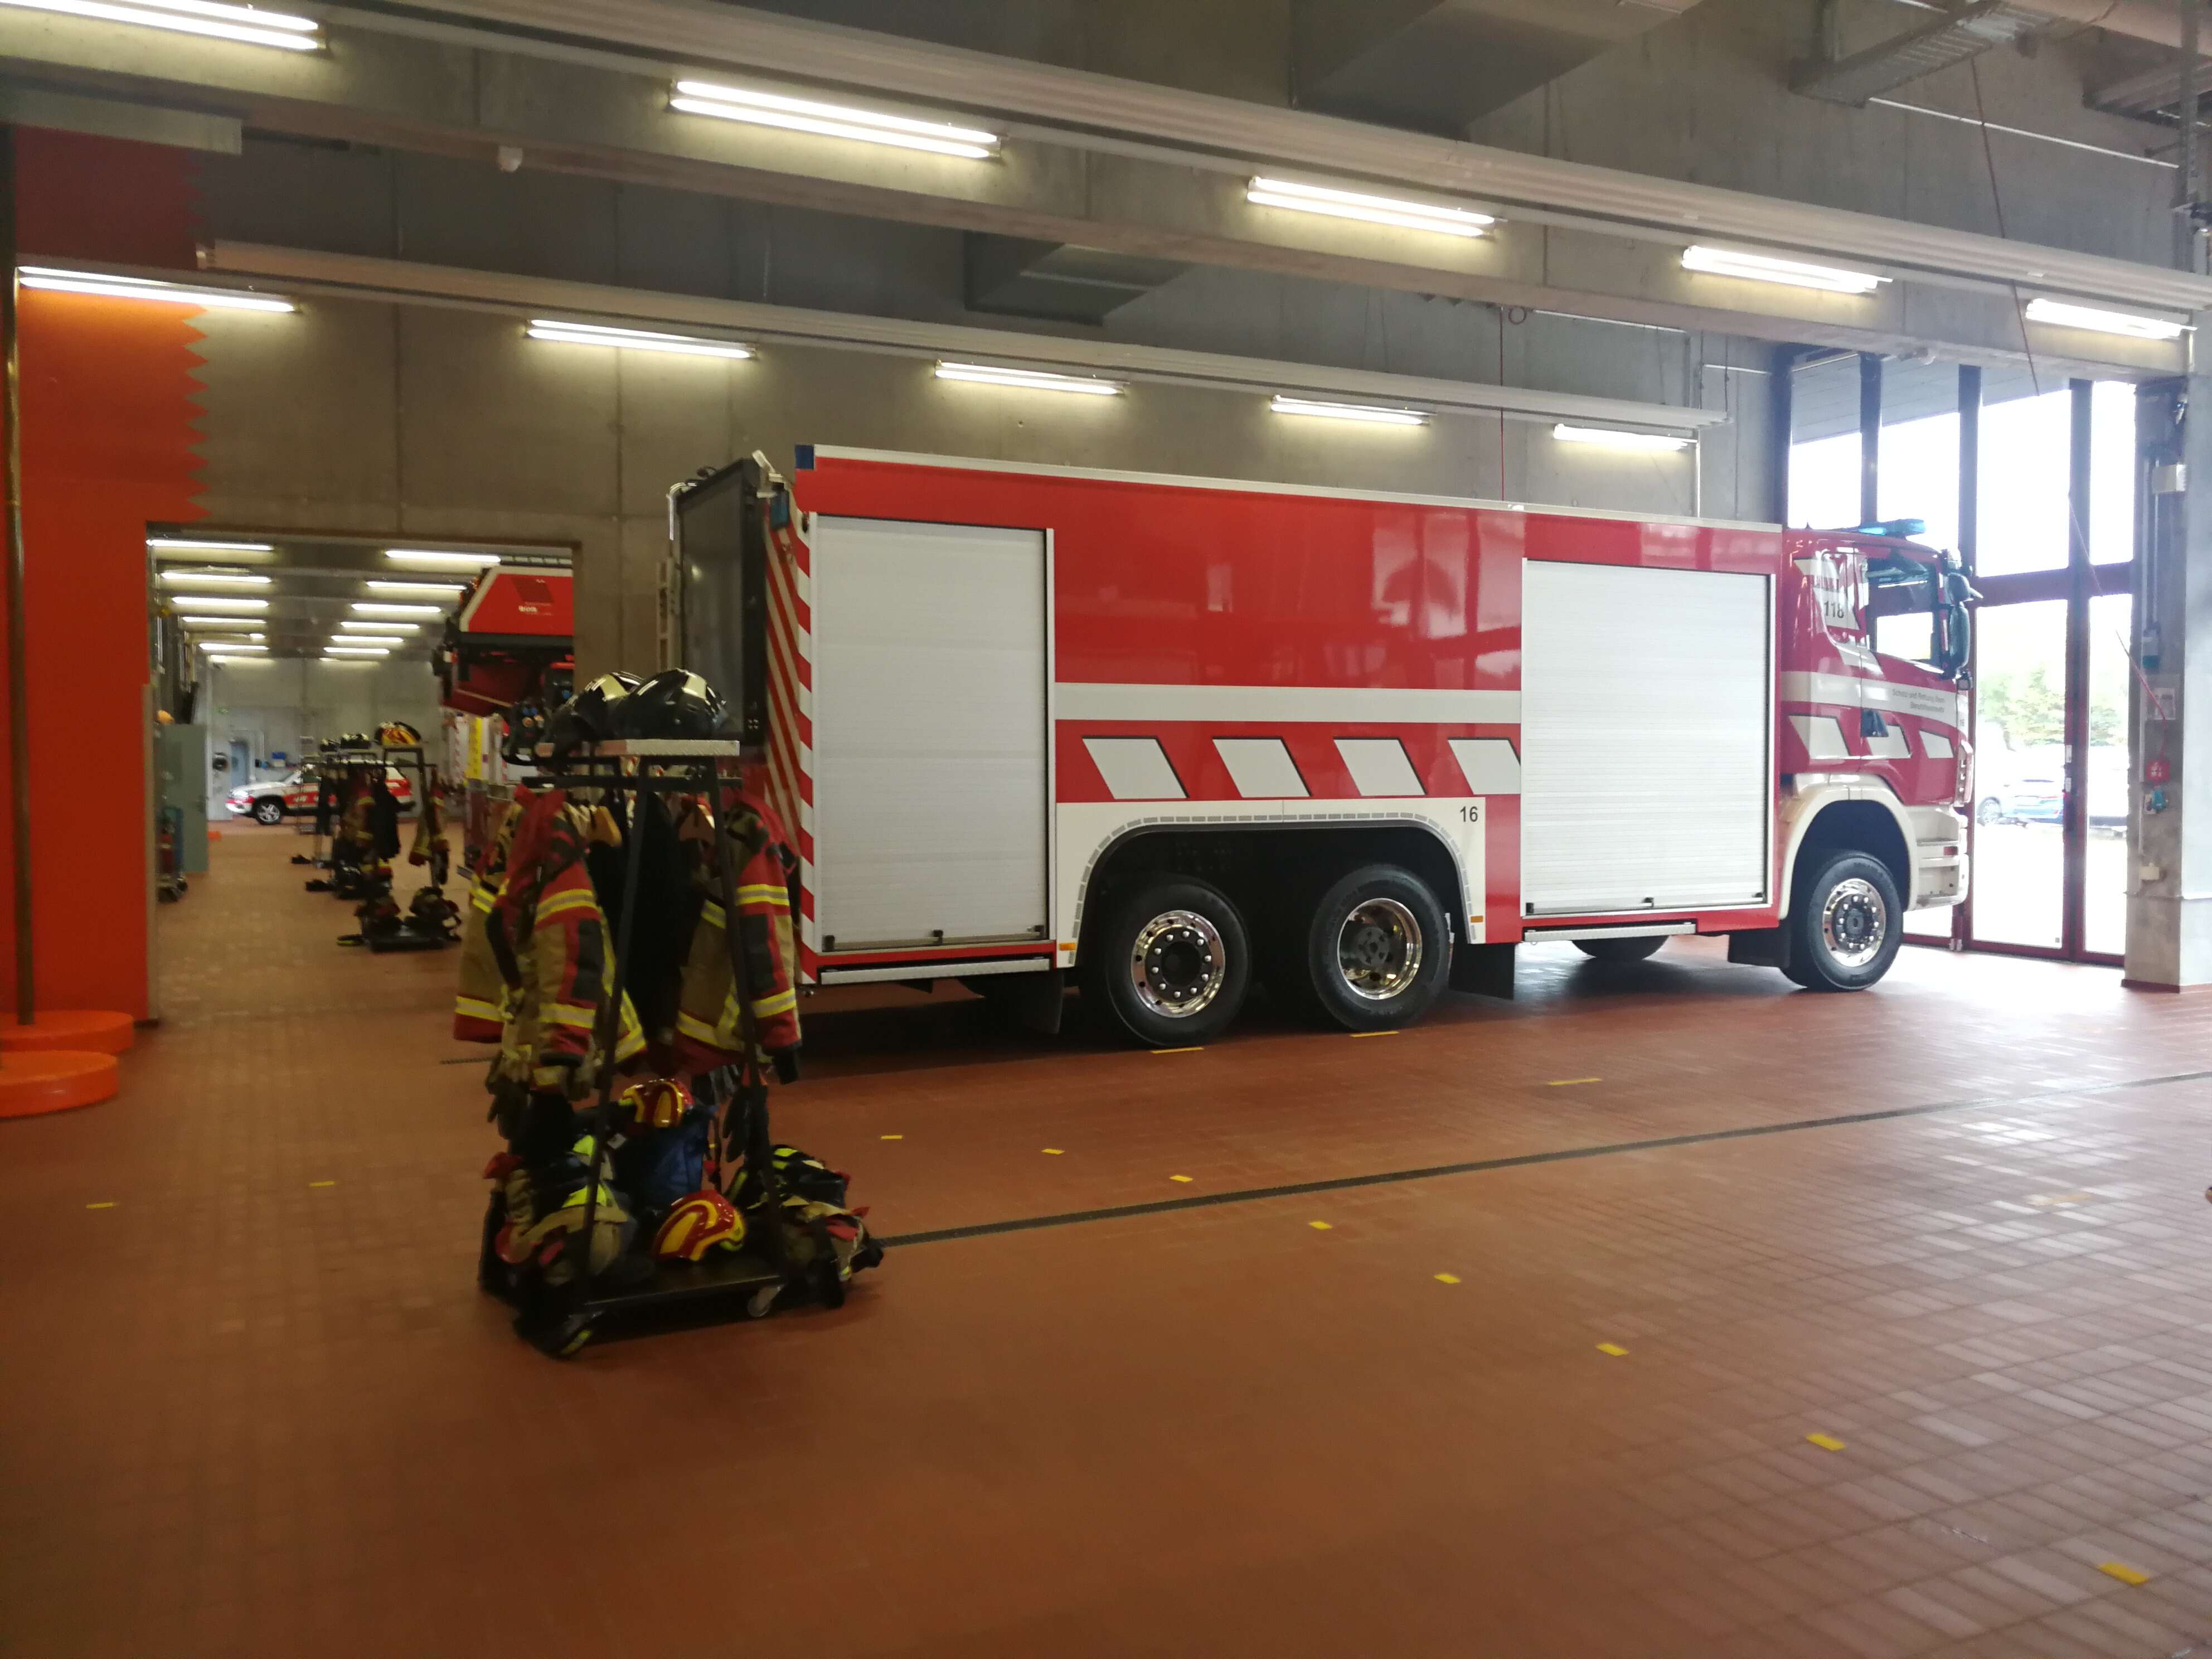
[1647,729]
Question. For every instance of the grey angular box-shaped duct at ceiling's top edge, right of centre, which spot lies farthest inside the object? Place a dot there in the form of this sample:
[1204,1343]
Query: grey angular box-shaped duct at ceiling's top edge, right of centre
[1439,65]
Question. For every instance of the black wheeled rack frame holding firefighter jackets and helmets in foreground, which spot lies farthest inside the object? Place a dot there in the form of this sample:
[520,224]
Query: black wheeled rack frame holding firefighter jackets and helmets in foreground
[751,1280]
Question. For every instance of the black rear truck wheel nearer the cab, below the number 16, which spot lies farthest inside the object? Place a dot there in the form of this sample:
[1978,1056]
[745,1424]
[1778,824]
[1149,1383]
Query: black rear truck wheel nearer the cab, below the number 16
[1377,950]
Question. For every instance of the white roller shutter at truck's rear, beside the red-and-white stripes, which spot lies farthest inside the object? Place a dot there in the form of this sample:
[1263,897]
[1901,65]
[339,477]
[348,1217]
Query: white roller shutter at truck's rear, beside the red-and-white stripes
[930,735]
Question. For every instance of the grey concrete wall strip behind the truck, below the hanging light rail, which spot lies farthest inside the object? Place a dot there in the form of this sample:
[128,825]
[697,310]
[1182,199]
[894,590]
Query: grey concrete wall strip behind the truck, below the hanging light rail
[448,424]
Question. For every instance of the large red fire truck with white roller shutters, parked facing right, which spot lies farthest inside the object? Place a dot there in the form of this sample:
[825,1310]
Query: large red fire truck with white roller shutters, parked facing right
[1176,735]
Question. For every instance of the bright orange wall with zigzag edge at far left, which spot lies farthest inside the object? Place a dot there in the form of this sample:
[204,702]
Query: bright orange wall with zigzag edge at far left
[107,448]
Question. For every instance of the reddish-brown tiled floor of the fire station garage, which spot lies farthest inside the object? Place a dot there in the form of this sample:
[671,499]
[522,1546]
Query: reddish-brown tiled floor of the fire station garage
[253,1404]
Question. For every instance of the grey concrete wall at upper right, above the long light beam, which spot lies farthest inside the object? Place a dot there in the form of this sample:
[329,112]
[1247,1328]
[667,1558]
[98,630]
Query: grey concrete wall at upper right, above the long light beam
[1707,98]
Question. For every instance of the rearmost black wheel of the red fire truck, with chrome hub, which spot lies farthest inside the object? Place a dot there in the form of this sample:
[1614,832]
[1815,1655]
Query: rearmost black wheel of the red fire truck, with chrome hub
[1189,948]
